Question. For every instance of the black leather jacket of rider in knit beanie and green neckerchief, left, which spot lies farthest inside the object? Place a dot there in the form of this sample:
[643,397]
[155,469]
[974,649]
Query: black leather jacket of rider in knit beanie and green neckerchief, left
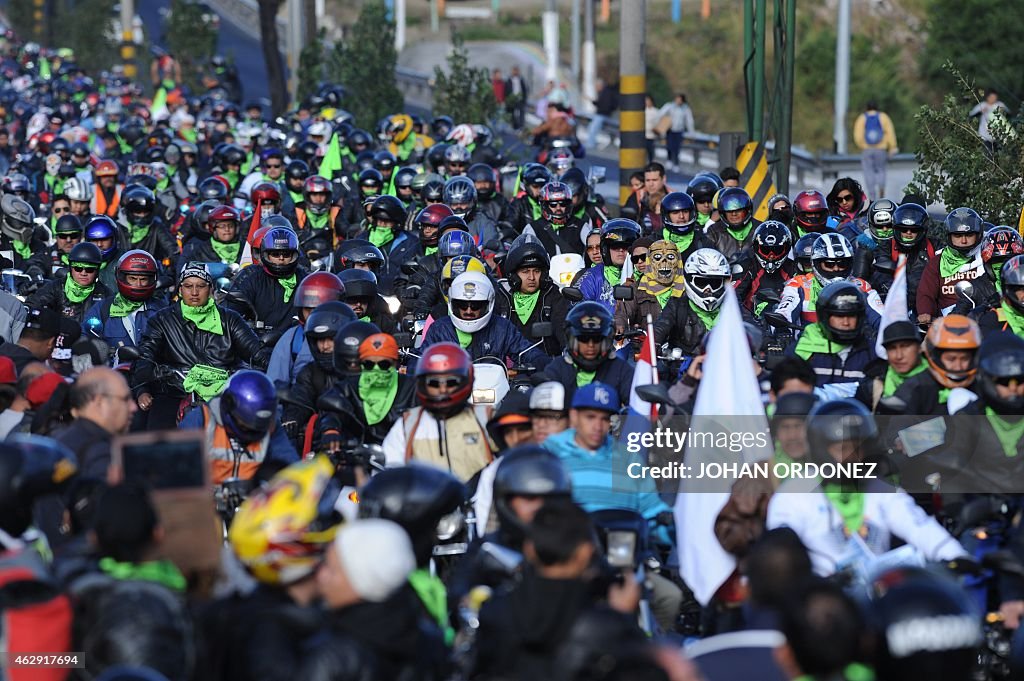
[173,344]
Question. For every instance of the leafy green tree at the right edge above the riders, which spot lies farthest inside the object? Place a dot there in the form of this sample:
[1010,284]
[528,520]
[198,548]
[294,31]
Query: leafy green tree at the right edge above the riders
[957,168]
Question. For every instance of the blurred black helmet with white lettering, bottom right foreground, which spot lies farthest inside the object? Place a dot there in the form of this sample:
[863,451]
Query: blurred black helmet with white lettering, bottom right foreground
[926,627]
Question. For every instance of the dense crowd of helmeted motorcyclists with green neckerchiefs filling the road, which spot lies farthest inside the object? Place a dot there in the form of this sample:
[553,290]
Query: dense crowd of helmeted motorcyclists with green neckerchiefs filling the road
[413,355]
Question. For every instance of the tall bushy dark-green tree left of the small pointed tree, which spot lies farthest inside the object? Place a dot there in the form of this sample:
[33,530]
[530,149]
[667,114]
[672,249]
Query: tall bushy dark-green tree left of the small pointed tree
[365,64]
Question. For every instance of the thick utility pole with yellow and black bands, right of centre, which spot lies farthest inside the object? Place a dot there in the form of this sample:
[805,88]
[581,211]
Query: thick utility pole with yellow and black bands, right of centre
[632,88]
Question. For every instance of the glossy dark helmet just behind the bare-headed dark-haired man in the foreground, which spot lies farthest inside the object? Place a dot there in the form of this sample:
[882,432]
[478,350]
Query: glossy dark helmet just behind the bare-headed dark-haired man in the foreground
[529,471]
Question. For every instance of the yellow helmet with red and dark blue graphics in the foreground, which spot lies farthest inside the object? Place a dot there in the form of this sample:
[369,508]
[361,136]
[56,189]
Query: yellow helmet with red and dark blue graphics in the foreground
[281,532]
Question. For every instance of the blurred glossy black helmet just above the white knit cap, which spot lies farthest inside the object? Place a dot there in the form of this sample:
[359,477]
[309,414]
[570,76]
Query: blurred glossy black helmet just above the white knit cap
[418,498]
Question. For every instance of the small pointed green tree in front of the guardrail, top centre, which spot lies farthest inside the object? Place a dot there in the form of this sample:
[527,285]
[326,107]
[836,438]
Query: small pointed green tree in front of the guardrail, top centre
[461,91]
